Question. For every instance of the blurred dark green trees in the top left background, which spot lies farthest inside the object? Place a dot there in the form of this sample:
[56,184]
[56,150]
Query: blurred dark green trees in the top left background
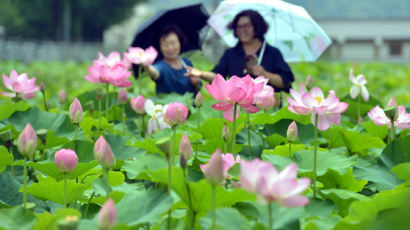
[80,20]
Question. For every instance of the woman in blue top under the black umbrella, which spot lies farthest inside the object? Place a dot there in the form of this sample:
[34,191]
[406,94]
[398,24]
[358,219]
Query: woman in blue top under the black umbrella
[168,72]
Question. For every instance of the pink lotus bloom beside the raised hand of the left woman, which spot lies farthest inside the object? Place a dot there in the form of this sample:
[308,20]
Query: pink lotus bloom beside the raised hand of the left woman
[138,55]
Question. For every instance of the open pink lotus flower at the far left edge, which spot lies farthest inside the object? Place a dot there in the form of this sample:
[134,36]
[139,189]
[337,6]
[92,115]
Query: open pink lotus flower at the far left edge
[20,85]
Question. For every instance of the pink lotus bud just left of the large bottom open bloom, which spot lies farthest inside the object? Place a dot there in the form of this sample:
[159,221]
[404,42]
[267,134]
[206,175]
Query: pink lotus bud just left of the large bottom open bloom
[214,169]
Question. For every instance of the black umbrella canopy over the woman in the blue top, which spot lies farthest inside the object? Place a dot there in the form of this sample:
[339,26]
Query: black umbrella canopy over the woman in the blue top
[190,19]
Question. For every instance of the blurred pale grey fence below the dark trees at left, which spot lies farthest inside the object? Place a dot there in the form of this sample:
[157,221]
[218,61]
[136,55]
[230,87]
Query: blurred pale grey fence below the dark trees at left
[29,50]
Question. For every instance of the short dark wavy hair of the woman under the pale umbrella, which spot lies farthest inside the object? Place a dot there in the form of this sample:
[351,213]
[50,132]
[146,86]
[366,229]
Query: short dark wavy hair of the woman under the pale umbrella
[259,24]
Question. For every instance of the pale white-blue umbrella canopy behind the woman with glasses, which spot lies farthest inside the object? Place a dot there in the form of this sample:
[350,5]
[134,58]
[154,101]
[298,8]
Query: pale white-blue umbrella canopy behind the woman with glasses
[291,29]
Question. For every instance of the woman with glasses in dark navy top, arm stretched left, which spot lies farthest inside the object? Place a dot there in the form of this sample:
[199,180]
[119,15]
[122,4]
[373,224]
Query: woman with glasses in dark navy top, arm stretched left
[252,55]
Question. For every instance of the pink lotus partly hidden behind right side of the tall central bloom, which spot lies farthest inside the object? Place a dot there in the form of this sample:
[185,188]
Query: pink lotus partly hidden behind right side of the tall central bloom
[264,99]
